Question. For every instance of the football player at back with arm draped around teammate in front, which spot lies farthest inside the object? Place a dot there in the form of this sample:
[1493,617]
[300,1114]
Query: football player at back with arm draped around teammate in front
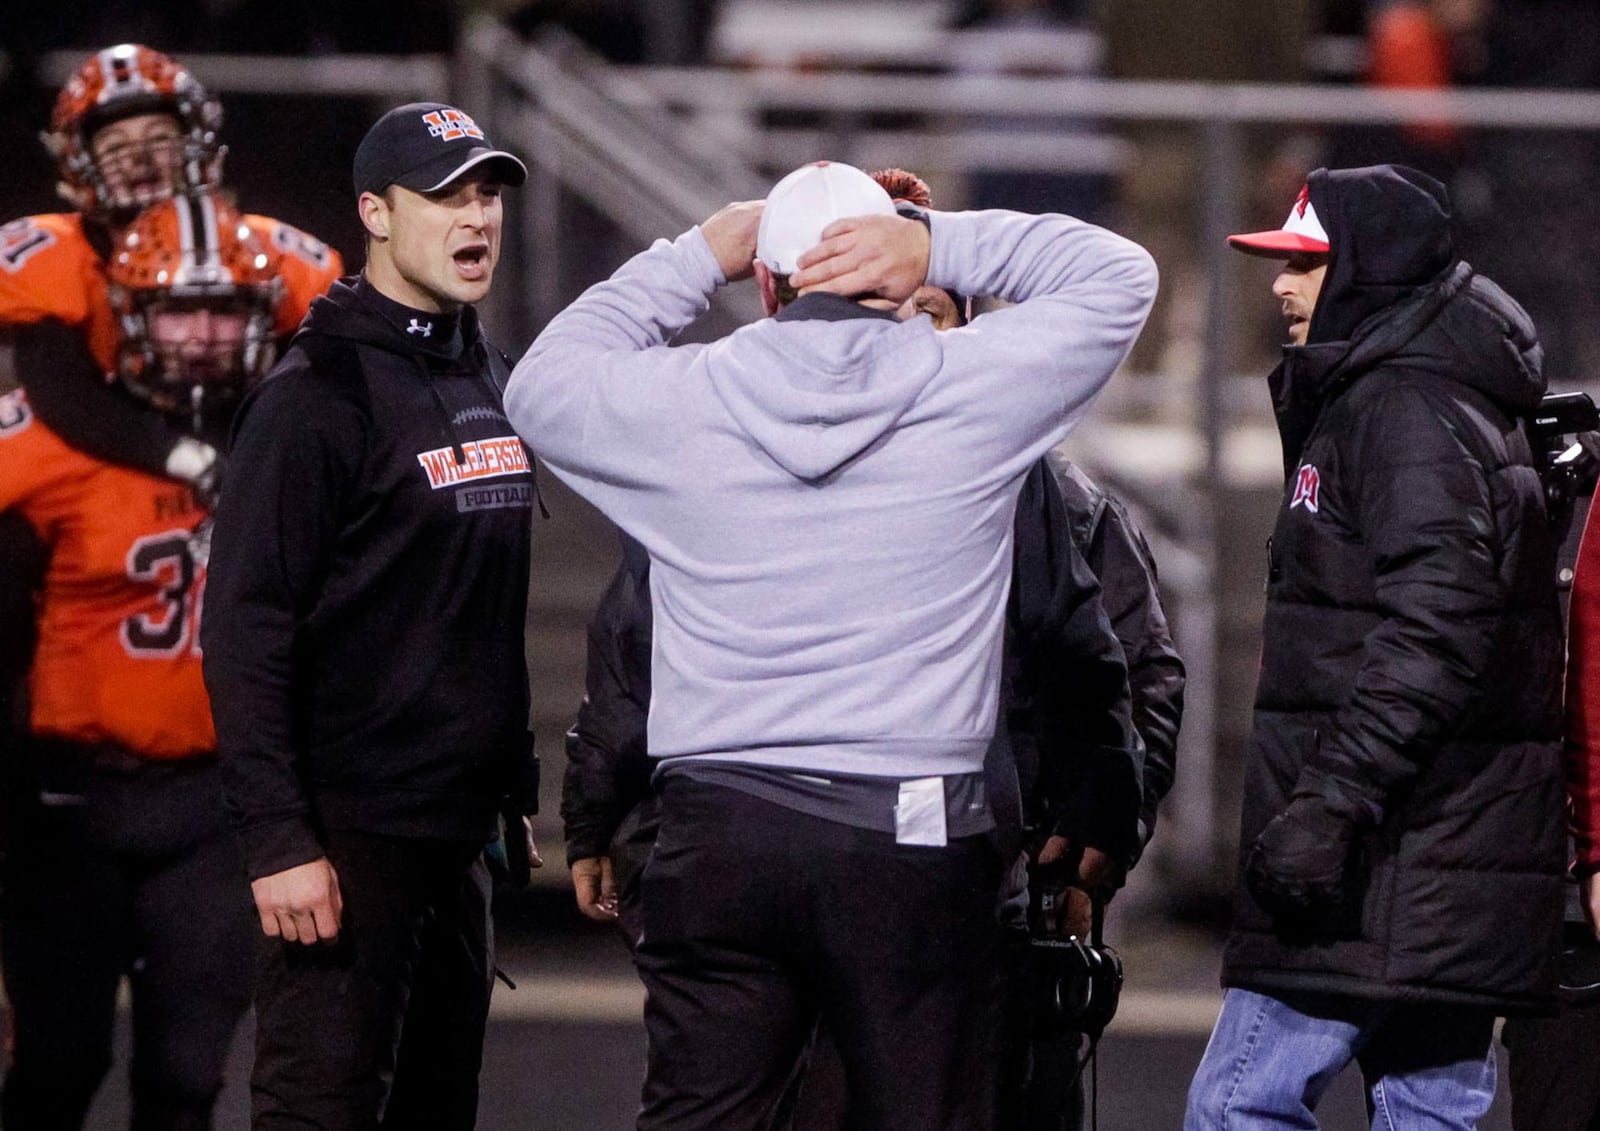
[130,127]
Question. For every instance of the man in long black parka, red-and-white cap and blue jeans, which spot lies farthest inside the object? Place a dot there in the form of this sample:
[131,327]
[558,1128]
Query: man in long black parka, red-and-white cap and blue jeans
[1402,837]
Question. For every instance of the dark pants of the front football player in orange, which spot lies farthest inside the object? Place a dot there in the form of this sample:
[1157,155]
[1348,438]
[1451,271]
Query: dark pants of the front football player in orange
[122,866]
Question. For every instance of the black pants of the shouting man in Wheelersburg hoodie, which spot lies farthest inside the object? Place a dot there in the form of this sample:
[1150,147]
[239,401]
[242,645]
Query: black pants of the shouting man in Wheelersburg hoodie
[330,1018]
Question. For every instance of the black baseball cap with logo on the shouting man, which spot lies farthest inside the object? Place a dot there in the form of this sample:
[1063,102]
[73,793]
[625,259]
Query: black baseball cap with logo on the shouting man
[425,146]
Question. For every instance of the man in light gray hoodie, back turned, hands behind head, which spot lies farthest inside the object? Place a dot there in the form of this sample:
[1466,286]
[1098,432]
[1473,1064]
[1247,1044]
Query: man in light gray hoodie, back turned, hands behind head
[826,498]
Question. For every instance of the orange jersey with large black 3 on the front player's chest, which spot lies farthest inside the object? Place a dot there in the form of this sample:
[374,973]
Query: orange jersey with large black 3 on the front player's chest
[119,644]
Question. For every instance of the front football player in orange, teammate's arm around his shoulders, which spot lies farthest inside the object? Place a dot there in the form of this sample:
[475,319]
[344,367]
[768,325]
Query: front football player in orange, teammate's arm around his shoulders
[119,857]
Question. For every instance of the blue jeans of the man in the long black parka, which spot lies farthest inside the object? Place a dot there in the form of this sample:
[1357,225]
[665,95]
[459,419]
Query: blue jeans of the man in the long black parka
[1270,1063]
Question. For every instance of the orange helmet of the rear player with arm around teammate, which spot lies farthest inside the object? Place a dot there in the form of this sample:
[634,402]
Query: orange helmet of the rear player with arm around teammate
[121,82]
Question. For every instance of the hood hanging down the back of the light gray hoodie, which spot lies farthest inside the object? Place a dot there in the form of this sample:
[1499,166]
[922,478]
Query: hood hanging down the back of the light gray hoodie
[815,398]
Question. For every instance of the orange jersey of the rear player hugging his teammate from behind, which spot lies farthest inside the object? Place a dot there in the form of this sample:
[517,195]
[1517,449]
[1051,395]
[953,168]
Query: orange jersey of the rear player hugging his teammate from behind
[49,270]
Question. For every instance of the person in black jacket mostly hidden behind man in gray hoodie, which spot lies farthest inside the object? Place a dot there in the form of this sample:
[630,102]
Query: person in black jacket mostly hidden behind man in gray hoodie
[1060,765]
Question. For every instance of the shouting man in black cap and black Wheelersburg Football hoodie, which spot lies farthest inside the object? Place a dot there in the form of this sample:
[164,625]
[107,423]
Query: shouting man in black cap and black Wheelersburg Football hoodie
[364,652]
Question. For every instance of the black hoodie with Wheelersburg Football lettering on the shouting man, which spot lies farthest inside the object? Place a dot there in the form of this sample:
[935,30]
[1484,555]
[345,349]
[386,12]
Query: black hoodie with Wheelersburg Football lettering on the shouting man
[367,594]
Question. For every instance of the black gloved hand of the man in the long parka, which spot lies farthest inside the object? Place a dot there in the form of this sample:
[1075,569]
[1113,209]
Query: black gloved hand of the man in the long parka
[1302,860]
